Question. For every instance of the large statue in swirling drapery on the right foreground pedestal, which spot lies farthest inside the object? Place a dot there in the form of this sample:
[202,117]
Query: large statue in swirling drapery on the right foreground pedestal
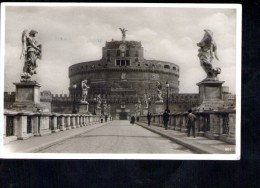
[207,53]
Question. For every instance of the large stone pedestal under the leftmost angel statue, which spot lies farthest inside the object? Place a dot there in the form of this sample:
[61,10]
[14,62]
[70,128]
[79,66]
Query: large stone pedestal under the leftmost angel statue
[27,97]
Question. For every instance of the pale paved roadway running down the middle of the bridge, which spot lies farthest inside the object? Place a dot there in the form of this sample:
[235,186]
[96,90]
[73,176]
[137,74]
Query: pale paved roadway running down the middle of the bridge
[118,137]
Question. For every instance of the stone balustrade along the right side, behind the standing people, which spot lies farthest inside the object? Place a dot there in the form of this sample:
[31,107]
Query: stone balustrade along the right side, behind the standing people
[213,125]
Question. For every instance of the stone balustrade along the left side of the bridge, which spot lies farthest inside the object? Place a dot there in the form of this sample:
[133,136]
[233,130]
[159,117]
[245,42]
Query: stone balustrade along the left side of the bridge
[22,125]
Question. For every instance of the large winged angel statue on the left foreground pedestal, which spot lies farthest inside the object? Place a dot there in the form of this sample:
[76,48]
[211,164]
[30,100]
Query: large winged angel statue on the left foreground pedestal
[31,52]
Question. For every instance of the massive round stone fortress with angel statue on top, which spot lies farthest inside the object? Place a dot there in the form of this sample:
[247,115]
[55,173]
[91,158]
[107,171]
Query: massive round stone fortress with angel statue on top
[123,77]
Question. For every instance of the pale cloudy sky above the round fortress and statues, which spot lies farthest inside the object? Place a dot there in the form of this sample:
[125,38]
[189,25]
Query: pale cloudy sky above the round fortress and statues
[70,35]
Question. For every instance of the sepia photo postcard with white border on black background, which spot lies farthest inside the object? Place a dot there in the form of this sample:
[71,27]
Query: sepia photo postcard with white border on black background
[121,81]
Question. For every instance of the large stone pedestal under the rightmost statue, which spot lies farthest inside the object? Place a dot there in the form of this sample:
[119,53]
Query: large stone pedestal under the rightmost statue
[210,95]
